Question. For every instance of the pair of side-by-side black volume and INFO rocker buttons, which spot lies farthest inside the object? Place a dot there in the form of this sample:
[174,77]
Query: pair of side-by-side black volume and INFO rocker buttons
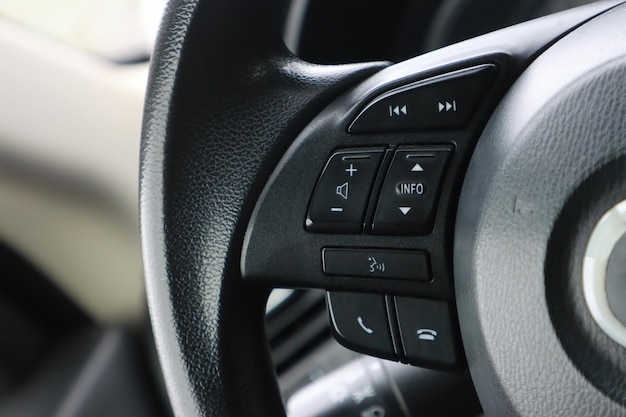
[407,201]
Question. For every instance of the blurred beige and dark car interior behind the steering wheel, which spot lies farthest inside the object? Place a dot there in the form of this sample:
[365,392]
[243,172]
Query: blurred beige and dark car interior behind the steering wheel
[76,338]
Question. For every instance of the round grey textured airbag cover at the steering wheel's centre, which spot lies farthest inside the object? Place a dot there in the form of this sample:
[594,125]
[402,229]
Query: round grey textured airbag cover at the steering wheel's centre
[560,124]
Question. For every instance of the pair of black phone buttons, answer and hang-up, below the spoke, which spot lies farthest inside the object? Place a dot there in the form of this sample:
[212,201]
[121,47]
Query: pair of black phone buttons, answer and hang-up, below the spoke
[414,330]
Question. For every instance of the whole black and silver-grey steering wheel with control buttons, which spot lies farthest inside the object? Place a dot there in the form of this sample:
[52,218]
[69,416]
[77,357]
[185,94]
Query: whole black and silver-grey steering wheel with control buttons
[237,132]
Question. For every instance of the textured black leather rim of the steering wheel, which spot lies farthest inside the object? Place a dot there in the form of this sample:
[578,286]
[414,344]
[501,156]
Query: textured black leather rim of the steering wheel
[225,100]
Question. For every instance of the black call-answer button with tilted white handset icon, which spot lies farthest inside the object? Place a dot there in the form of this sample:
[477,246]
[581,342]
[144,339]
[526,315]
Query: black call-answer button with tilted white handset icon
[359,322]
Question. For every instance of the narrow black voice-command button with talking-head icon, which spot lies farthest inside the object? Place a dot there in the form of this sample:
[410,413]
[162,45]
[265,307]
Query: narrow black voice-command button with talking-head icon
[377,263]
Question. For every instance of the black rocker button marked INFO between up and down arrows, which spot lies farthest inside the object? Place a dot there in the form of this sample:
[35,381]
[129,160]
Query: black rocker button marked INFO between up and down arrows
[408,198]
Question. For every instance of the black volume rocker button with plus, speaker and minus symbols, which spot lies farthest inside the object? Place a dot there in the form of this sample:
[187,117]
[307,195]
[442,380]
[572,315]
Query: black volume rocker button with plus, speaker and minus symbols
[342,193]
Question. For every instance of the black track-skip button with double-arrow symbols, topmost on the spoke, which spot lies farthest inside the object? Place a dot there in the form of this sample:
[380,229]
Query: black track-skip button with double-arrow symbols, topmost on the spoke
[446,101]
